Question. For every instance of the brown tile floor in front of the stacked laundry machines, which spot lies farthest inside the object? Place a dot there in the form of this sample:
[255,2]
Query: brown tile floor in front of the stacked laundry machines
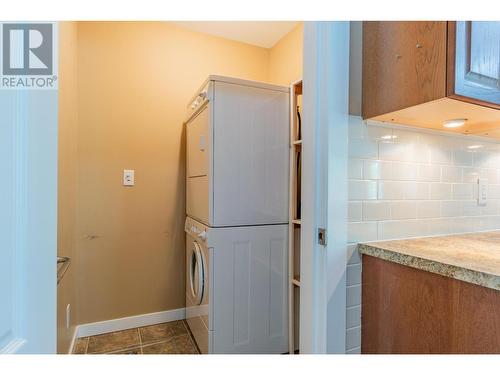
[166,338]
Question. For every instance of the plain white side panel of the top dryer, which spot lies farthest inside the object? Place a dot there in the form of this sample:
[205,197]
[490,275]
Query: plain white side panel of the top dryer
[251,155]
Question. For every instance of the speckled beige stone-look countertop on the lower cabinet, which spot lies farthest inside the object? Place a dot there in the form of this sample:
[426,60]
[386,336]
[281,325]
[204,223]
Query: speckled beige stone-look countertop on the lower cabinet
[472,257]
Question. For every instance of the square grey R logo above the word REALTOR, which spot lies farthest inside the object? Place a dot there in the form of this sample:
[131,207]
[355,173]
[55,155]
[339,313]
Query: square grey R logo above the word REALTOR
[27,49]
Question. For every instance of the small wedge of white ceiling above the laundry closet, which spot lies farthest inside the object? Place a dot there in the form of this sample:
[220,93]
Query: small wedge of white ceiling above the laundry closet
[259,33]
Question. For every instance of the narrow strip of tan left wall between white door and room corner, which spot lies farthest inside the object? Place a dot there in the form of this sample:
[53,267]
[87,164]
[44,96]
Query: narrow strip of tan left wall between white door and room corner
[68,121]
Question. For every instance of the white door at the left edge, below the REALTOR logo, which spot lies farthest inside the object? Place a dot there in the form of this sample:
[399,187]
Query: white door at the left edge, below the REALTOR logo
[28,209]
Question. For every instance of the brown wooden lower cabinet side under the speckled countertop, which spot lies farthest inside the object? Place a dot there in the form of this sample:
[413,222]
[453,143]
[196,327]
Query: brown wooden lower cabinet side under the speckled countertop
[410,311]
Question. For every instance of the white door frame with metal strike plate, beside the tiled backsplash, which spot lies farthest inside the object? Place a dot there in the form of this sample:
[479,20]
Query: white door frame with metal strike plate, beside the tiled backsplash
[324,193]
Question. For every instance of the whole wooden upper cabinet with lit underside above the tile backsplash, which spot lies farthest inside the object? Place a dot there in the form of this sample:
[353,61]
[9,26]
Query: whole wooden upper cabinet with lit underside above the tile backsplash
[422,73]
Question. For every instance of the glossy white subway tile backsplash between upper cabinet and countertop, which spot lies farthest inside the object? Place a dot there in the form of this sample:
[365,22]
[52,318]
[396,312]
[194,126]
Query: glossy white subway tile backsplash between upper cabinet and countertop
[403,183]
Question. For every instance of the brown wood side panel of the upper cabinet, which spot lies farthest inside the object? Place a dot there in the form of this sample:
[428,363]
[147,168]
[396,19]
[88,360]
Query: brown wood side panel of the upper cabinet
[404,64]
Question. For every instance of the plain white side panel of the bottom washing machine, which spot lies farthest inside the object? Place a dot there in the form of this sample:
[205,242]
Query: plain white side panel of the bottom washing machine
[249,289]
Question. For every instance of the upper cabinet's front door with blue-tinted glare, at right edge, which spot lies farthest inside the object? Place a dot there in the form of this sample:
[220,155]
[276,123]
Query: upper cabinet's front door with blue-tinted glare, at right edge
[477,60]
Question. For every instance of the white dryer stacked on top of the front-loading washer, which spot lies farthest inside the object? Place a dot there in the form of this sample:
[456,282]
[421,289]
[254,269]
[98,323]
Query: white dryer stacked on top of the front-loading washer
[238,153]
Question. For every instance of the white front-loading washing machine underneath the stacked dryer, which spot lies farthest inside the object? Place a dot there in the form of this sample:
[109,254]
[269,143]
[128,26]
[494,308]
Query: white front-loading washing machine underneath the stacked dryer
[236,288]
